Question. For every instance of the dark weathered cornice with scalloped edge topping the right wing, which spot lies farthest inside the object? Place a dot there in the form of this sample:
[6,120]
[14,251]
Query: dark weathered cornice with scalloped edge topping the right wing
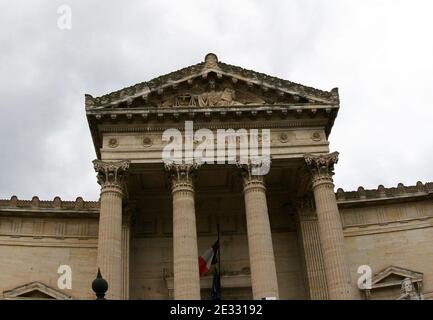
[402,192]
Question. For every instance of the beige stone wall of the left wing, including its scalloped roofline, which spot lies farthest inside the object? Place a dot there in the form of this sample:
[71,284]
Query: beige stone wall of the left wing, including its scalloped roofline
[36,237]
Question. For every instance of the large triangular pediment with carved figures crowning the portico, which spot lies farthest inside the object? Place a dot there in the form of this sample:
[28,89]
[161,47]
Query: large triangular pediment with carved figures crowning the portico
[209,84]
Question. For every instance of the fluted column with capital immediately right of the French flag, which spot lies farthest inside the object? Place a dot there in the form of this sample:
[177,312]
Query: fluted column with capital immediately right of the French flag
[262,262]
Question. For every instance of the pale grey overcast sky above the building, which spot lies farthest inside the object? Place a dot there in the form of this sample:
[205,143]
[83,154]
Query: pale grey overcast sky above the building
[379,54]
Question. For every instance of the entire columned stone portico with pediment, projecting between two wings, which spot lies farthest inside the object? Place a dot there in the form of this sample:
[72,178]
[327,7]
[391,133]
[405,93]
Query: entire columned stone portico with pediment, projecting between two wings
[174,207]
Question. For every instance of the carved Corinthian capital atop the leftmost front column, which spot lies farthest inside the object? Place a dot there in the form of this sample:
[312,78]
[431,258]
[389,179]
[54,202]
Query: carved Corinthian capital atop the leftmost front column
[111,173]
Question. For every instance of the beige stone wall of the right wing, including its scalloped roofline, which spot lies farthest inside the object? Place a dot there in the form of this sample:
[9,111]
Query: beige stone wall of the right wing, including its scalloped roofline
[390,227]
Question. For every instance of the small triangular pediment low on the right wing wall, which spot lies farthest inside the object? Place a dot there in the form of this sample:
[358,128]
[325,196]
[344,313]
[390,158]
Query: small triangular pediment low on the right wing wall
[393,276]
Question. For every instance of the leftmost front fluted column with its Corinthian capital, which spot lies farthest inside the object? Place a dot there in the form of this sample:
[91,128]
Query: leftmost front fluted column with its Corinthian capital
[110,177]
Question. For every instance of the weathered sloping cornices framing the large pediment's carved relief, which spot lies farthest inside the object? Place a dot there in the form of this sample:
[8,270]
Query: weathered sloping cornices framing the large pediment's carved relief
[207,70]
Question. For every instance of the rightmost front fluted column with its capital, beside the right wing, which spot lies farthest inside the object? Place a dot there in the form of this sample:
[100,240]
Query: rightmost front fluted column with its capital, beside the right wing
[330,228]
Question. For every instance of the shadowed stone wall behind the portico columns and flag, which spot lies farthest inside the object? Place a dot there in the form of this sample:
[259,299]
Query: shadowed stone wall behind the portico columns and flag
[152,253]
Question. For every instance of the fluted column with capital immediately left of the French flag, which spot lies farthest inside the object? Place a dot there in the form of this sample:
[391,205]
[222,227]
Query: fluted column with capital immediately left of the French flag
[185,258]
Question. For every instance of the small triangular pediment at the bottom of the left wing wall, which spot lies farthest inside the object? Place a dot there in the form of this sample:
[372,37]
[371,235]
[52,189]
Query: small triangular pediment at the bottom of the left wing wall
[35,291]
